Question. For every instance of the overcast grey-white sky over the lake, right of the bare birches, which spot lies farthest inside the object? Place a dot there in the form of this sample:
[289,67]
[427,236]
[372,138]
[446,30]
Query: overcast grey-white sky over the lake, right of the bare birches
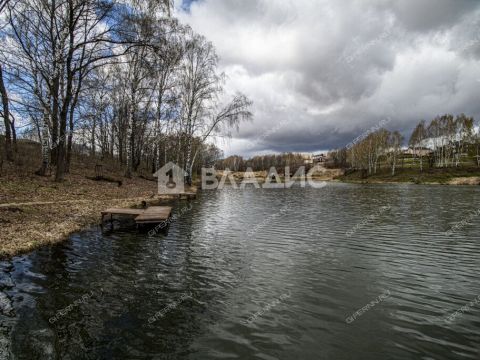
[322,72]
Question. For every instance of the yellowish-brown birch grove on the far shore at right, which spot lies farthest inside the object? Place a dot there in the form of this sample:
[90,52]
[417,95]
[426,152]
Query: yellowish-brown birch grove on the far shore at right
[441,143]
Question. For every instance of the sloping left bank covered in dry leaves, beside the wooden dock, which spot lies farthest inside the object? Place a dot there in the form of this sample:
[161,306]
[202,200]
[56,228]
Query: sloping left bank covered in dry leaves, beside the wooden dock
[36,211]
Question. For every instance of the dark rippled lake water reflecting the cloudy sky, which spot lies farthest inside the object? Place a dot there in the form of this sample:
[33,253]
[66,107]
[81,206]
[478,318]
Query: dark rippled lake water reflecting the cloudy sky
[342,272]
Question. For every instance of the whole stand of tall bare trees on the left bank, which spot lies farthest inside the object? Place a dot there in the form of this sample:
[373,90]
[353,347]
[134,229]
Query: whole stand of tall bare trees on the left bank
[123,78]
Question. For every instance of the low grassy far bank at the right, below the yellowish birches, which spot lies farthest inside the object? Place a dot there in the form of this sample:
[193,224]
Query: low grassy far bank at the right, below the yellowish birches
[446,176]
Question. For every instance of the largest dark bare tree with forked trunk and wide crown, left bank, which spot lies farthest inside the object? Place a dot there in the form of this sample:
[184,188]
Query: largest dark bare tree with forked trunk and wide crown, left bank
[59,43]
